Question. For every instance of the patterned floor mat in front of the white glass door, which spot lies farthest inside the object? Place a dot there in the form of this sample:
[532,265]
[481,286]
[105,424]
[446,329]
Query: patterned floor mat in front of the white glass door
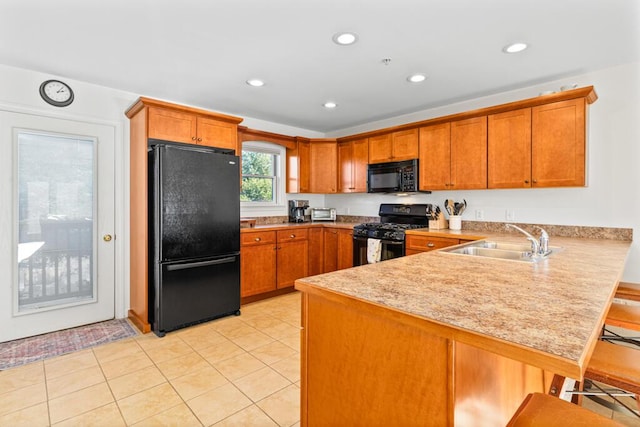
[40,347]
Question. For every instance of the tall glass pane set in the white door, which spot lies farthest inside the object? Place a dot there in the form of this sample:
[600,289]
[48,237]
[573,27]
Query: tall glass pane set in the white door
[56,186]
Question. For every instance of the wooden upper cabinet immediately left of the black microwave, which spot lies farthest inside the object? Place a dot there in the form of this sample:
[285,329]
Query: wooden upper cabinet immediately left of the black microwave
[353,158]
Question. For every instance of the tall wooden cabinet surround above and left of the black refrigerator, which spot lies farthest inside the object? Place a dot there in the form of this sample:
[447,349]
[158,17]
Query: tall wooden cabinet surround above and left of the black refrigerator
[150,118]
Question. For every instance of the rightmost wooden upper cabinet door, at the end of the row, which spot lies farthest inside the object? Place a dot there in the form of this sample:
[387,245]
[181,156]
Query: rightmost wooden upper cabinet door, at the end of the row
[558,144]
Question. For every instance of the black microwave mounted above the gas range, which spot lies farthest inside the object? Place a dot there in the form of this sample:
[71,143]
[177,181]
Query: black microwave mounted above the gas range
[393,177]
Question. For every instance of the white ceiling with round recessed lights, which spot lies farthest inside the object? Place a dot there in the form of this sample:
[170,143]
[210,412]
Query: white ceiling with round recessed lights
[201,52]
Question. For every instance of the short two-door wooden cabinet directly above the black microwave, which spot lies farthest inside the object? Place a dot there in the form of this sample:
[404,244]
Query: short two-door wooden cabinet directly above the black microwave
[394,146]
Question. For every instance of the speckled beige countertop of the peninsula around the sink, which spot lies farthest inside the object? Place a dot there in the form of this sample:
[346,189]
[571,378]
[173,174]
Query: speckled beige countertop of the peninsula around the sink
[554,307]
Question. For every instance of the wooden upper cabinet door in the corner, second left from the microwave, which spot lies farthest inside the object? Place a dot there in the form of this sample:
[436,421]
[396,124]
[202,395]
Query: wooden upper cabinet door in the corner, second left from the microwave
[323,166]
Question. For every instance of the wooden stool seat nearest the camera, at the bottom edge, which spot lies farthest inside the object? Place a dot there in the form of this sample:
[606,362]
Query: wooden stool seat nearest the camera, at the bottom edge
[542,410]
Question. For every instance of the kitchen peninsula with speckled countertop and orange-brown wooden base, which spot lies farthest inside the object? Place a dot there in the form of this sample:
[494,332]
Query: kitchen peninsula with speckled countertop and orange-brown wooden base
[447,339]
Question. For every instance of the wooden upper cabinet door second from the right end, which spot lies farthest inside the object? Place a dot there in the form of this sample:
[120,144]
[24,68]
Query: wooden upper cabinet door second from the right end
[509,149]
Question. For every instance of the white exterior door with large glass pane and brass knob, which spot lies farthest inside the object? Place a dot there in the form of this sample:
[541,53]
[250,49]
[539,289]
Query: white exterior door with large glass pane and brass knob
[57,219]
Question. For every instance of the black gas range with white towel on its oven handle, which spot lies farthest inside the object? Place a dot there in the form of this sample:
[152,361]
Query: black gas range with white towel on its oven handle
[388,234]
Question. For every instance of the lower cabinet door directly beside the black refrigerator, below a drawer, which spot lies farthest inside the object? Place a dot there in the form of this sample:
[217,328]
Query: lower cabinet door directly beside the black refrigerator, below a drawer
[257,269]
